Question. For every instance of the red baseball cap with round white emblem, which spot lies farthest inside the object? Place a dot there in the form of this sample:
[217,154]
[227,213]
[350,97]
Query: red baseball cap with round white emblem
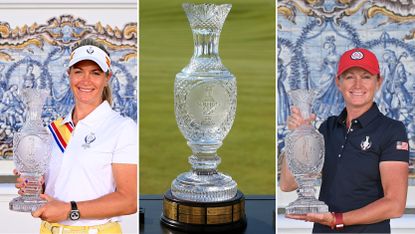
[358,57]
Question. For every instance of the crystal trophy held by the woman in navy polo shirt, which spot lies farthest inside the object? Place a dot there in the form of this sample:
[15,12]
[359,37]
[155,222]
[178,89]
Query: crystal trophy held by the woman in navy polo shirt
[304,149]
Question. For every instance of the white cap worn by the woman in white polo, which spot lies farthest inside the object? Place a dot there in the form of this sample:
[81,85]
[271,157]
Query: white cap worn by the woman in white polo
[93,53]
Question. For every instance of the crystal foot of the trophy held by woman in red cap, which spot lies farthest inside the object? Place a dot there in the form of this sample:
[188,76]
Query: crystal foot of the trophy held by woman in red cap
[305,206]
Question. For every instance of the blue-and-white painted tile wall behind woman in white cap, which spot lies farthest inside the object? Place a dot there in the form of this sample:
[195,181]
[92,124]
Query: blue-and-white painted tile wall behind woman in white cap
[36,55]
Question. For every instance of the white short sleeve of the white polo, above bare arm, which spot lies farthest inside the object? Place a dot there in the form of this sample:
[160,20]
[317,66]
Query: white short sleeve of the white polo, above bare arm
[126,149]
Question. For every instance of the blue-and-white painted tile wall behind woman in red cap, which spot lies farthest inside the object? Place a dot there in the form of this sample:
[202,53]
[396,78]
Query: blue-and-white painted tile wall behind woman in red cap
[312,34]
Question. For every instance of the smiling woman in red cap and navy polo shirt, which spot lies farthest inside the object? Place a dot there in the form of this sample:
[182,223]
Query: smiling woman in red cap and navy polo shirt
[365,172]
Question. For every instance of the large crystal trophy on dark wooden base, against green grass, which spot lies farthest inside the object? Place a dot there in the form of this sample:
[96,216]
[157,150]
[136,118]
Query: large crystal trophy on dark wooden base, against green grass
[204,199]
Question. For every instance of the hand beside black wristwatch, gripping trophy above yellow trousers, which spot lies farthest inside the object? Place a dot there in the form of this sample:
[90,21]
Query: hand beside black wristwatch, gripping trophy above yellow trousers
[53,211]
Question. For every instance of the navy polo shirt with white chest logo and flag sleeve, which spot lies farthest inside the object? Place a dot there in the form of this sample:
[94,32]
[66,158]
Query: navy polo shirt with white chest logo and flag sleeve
[351,177]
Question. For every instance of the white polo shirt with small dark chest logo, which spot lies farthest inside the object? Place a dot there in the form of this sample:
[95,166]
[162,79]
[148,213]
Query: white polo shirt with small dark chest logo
[83,171]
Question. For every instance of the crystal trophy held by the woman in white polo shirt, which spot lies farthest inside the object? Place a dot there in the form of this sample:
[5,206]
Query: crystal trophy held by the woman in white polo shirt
[31,152]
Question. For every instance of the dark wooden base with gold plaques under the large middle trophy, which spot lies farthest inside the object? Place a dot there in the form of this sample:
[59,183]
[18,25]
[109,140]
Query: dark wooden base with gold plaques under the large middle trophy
[213,217]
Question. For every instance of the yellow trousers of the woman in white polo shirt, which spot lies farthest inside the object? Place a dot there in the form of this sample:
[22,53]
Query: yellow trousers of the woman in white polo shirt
[55,228]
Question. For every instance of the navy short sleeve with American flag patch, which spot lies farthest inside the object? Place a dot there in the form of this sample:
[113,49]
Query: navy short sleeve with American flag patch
[396,146]
